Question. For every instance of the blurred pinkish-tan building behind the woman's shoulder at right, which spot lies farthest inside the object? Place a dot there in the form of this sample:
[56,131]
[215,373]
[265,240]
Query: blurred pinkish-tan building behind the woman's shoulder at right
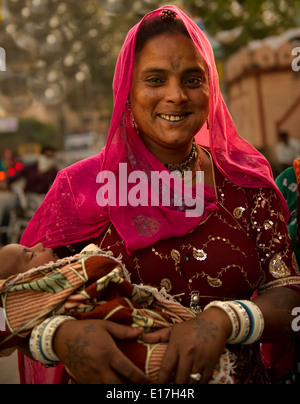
[263,91]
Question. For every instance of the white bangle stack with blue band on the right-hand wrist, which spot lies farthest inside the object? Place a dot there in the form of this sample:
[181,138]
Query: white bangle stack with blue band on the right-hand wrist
[246,319]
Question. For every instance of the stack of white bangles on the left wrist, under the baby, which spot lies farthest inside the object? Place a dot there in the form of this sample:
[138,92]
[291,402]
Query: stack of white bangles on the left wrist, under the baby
[42,337]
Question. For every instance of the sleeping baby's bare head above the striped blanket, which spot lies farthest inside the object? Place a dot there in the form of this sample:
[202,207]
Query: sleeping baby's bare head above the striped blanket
[16,259]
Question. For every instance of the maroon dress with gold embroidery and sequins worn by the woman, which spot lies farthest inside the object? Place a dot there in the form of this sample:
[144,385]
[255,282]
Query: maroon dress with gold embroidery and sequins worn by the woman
[242,248]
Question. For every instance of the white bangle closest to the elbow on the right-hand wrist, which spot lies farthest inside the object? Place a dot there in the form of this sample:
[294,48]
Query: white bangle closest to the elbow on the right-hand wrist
[257,319]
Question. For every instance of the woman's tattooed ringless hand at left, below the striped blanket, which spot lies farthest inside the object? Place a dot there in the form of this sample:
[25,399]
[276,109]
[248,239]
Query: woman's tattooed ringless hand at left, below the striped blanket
[88,351]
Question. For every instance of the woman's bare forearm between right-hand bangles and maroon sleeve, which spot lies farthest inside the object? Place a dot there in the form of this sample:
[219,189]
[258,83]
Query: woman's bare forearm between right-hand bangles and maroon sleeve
[277,306]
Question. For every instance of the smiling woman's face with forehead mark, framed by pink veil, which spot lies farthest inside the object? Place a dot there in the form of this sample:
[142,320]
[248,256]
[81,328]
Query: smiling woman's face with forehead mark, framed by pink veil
[169,94]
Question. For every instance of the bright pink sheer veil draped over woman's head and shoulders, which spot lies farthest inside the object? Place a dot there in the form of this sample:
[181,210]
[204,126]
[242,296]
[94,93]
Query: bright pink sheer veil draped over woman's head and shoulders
[70,212]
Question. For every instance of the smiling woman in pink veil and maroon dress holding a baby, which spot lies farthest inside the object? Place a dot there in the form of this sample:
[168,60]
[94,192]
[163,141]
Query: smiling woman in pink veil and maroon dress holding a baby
[166,94]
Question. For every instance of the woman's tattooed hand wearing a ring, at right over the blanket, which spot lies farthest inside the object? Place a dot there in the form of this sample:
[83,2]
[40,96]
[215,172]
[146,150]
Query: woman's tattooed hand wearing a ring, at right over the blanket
[194,346]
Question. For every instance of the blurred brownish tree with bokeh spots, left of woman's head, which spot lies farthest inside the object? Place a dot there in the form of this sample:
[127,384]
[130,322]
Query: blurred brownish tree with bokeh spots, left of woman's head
[63,50]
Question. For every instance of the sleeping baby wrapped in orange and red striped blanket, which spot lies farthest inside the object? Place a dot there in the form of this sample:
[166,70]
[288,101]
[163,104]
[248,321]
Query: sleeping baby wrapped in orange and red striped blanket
[89,285]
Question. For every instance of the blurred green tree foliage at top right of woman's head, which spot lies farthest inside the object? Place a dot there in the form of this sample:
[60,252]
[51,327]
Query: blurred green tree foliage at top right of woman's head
[251,19]
